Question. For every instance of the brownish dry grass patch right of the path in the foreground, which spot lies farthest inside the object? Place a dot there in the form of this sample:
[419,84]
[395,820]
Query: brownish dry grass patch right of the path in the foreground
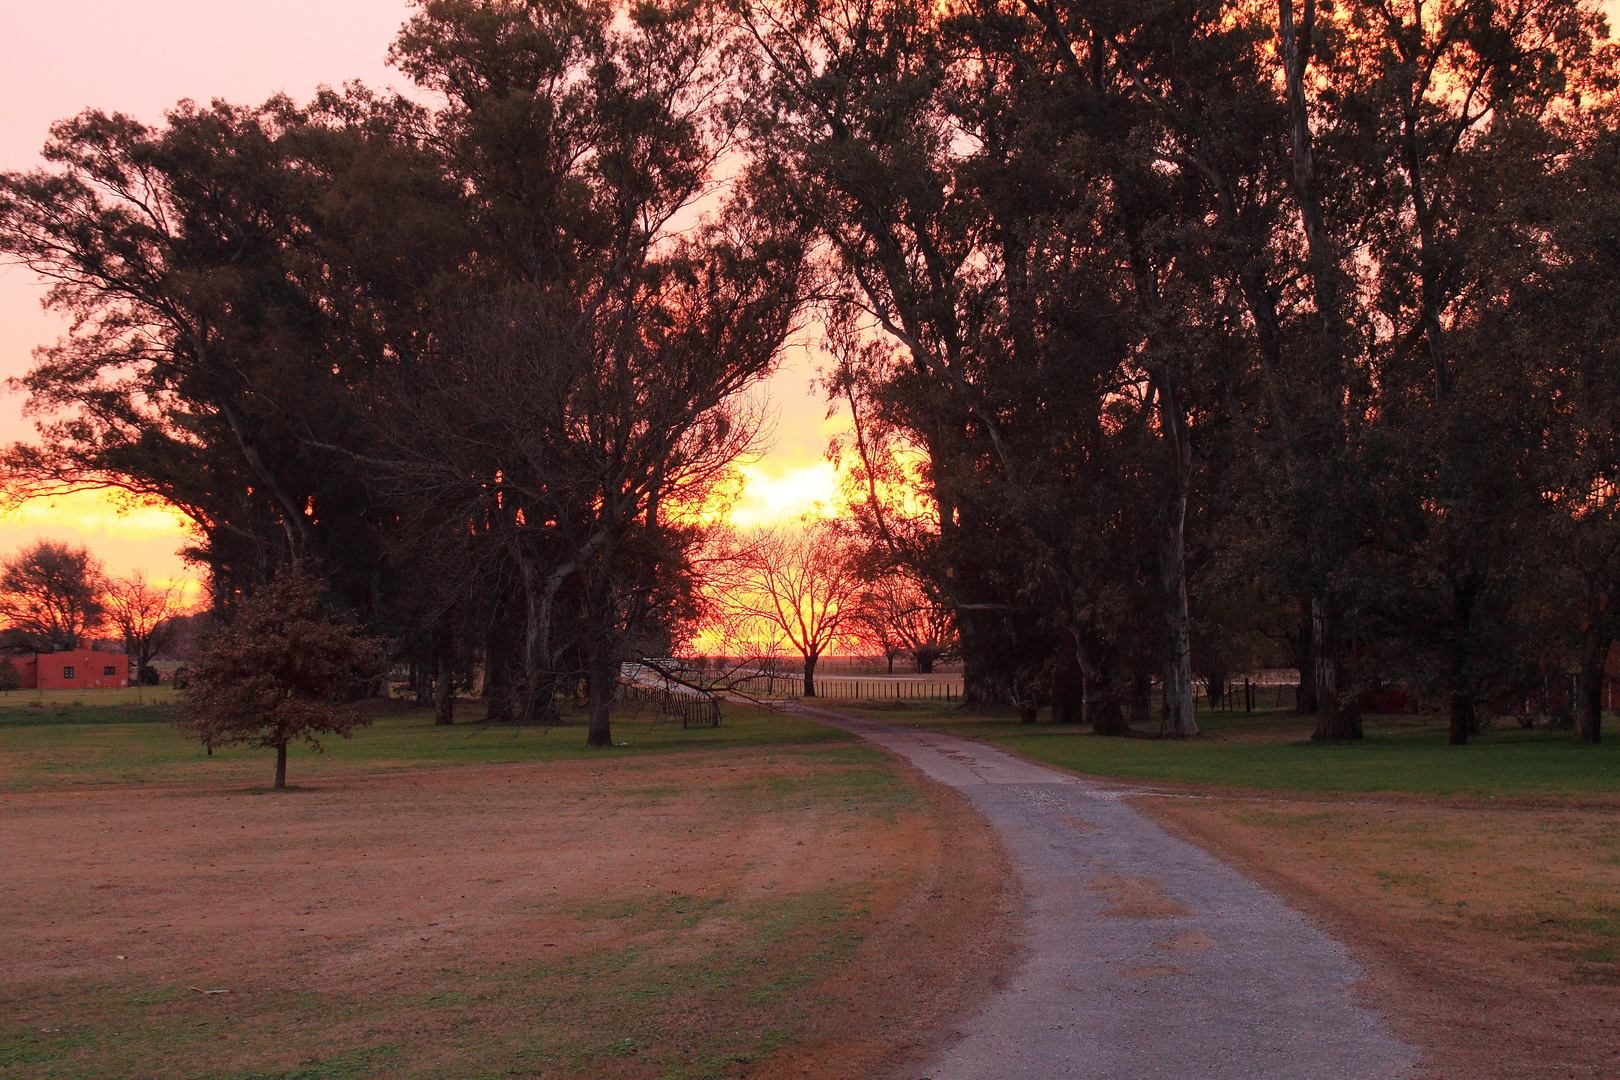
[1490,929]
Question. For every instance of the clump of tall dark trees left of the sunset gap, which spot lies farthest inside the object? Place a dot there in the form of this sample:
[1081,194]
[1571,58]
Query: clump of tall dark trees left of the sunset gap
[477,368]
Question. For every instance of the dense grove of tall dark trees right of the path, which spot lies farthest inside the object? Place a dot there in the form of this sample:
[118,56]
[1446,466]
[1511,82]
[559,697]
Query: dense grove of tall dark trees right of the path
[1216,320]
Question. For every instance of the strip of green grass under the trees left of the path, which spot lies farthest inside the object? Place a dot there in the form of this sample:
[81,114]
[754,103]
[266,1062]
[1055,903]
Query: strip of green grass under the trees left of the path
[80,739]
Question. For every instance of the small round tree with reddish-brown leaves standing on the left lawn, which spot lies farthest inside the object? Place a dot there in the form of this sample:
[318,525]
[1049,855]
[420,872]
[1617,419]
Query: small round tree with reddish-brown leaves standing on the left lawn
[279,673]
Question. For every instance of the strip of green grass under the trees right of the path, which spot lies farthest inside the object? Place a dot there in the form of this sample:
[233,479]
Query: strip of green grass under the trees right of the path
[1274,750]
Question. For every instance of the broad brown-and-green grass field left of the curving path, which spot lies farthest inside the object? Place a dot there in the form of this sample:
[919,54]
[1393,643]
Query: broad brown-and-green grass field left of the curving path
[453,903]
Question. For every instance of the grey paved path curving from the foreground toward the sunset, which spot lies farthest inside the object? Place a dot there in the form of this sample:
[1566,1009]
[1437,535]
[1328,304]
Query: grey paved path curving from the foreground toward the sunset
[1146,958]
